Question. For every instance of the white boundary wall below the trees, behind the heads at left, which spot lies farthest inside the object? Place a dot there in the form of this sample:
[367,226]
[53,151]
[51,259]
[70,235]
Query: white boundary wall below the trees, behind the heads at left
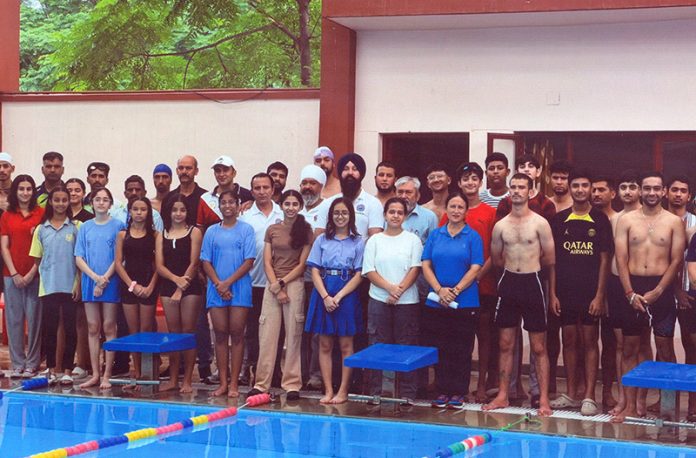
[133,137]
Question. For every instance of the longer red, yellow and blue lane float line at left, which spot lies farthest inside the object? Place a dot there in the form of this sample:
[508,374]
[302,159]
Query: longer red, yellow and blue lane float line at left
[149,433]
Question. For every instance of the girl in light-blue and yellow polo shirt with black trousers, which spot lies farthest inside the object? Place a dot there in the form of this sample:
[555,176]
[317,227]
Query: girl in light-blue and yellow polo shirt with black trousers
[53,246]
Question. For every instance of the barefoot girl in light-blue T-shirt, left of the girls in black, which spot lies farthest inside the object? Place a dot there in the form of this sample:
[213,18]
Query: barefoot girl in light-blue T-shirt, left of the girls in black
[94,256]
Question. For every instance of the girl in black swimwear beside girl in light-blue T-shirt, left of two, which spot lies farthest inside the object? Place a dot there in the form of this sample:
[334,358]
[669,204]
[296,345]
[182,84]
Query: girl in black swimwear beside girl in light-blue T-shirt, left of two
[135,264]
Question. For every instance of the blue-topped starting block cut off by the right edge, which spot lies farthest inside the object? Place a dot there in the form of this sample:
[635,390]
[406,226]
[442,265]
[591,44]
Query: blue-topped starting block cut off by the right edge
[669,378]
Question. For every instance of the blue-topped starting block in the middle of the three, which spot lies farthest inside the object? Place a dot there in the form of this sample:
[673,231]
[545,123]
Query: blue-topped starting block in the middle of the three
[391,359]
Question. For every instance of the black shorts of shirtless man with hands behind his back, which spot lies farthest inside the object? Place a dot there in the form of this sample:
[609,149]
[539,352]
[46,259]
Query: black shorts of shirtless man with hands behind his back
[521,295]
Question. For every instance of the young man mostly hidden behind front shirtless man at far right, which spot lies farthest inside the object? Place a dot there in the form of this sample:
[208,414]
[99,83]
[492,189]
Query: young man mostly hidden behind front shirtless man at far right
[629,194]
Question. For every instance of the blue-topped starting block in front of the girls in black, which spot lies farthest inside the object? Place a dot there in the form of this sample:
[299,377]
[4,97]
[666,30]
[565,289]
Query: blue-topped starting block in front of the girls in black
[148,344]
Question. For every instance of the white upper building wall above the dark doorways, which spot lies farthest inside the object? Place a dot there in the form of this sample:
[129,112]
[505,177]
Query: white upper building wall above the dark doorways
[637,76]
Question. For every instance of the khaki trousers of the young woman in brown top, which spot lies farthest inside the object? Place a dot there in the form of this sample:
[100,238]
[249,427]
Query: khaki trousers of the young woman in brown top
[273,315]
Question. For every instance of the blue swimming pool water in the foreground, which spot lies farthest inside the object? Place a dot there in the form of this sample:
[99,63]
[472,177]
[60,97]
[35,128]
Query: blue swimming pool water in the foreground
[33,423]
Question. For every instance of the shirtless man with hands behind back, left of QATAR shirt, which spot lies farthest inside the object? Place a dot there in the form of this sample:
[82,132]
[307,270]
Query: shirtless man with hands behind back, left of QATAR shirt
[522,243]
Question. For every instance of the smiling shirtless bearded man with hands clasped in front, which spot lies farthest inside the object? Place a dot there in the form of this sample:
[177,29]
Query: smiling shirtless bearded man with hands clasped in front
[650,247]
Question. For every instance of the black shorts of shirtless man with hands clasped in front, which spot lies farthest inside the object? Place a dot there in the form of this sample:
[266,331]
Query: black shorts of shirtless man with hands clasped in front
[662,315]
